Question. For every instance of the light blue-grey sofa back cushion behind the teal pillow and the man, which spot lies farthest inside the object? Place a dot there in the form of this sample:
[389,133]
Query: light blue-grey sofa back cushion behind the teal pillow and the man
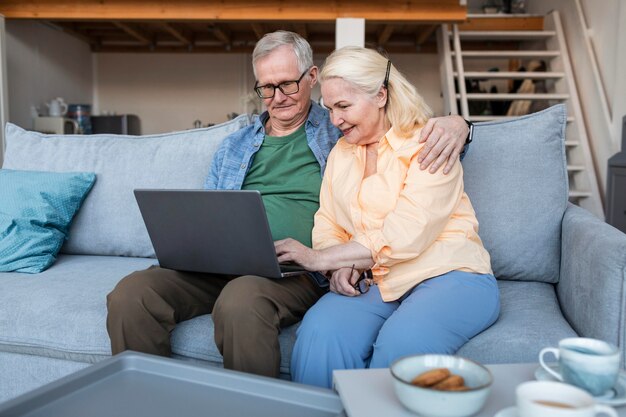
[109,222]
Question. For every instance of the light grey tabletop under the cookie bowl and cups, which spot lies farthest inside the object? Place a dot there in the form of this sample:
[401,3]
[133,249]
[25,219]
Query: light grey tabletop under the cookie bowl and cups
[369,392]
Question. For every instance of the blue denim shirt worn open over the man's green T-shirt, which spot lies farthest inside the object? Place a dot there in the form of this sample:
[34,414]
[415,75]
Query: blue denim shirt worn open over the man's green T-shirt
[234,156]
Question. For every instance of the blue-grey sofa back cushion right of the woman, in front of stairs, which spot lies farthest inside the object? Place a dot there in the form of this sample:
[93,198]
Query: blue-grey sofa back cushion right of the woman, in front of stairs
[516,177]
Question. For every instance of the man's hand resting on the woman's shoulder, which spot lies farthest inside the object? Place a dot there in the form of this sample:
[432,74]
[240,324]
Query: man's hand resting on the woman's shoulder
[445,138]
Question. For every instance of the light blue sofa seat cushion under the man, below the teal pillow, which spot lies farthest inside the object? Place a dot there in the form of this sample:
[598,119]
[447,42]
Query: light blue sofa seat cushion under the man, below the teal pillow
[65,317]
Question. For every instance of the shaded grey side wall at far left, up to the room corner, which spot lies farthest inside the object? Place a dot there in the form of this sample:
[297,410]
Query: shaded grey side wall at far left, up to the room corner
[44,63]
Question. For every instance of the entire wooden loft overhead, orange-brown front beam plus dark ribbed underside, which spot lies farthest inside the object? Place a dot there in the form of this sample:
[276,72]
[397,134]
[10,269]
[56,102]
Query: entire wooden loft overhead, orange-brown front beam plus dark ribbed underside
[235,25]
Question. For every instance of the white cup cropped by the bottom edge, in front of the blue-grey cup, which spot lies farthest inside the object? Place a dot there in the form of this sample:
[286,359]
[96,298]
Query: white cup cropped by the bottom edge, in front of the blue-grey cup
[556,399]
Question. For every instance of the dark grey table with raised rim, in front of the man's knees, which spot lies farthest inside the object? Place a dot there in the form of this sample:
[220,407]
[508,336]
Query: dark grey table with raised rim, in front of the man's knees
[134,384]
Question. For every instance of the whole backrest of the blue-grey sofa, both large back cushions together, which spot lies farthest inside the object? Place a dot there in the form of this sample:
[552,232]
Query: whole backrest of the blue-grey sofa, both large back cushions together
[515,175]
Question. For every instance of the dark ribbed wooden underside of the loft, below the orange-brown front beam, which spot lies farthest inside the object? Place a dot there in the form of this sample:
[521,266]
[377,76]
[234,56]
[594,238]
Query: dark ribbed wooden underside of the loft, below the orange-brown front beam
[220,36]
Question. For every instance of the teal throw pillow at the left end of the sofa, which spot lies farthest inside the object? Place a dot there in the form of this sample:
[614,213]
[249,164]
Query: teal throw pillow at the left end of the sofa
[36,209]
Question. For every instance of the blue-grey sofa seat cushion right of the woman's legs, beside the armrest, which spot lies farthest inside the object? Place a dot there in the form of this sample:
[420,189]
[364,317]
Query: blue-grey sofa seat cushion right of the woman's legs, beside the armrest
[530,319]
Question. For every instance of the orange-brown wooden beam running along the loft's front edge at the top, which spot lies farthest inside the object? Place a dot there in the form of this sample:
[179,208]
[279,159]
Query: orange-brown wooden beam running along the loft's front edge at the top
[416,11]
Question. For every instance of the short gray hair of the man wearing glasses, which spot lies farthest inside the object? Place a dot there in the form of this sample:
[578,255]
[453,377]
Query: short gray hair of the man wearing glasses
[271,41]
